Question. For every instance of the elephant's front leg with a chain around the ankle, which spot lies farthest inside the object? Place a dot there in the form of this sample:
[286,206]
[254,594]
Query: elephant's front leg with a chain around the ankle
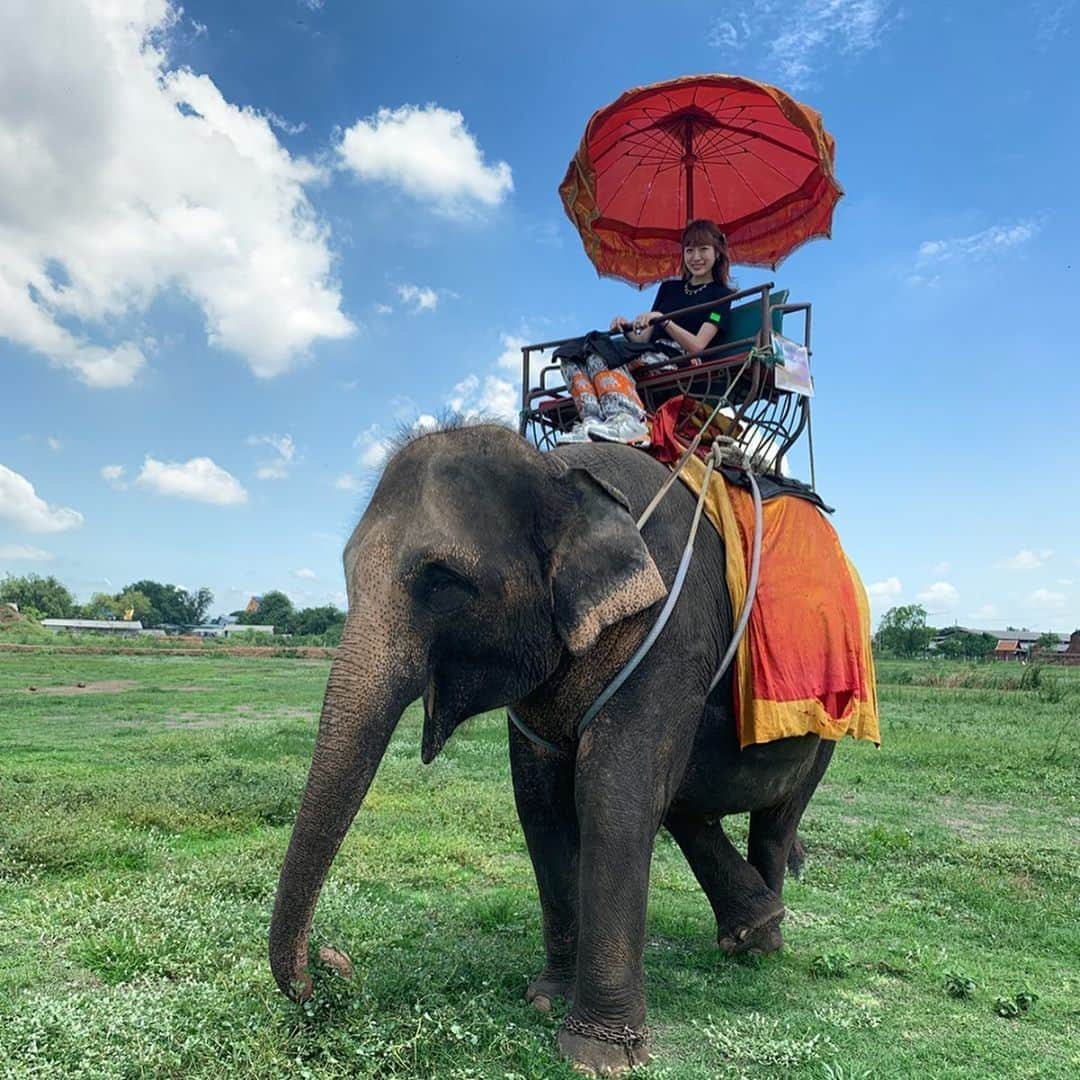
[605,1031]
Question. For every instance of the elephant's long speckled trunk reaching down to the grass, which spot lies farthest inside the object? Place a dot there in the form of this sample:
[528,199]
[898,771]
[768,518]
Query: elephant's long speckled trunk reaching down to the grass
[364,699]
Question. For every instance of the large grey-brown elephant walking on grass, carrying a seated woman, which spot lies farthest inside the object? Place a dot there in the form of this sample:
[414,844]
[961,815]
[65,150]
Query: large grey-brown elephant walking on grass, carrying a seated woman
[487,574]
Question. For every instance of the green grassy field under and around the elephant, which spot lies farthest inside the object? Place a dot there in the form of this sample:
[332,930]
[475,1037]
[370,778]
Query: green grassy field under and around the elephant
[145,818]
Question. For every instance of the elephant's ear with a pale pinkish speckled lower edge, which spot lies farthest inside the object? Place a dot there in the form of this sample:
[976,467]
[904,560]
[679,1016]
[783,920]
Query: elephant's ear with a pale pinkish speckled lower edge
[600,570]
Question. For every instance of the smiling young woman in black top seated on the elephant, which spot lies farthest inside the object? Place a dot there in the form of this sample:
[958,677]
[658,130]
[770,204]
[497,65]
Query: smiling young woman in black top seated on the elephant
[605,397]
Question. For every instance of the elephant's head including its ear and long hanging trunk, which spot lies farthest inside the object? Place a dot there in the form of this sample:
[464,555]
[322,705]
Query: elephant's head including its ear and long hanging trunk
[478,565]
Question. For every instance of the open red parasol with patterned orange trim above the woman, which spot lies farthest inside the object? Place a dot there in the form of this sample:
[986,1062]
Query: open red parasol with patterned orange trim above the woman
[718,146]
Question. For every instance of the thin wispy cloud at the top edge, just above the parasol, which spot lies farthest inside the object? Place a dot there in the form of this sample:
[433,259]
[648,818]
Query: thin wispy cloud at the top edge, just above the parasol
[799,39]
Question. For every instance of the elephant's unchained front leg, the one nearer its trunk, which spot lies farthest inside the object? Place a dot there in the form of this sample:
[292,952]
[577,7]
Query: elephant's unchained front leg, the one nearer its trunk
[544,792]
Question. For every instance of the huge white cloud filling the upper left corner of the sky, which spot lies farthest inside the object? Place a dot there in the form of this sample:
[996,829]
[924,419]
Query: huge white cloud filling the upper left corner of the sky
[126,180]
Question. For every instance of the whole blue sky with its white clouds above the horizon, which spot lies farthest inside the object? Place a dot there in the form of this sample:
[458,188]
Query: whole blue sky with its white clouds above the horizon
[242,244]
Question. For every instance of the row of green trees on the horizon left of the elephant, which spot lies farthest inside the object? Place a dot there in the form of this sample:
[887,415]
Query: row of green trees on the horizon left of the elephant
[155,605]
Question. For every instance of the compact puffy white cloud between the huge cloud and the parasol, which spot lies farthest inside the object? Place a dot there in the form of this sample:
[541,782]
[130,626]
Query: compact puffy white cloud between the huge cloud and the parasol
[429,154]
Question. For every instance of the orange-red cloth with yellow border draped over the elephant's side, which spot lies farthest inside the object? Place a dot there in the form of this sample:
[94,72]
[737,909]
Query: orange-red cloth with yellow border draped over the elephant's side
[805,664]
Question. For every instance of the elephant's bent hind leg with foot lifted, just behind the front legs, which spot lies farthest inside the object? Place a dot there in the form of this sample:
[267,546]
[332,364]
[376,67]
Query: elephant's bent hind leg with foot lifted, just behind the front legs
[748,912]
